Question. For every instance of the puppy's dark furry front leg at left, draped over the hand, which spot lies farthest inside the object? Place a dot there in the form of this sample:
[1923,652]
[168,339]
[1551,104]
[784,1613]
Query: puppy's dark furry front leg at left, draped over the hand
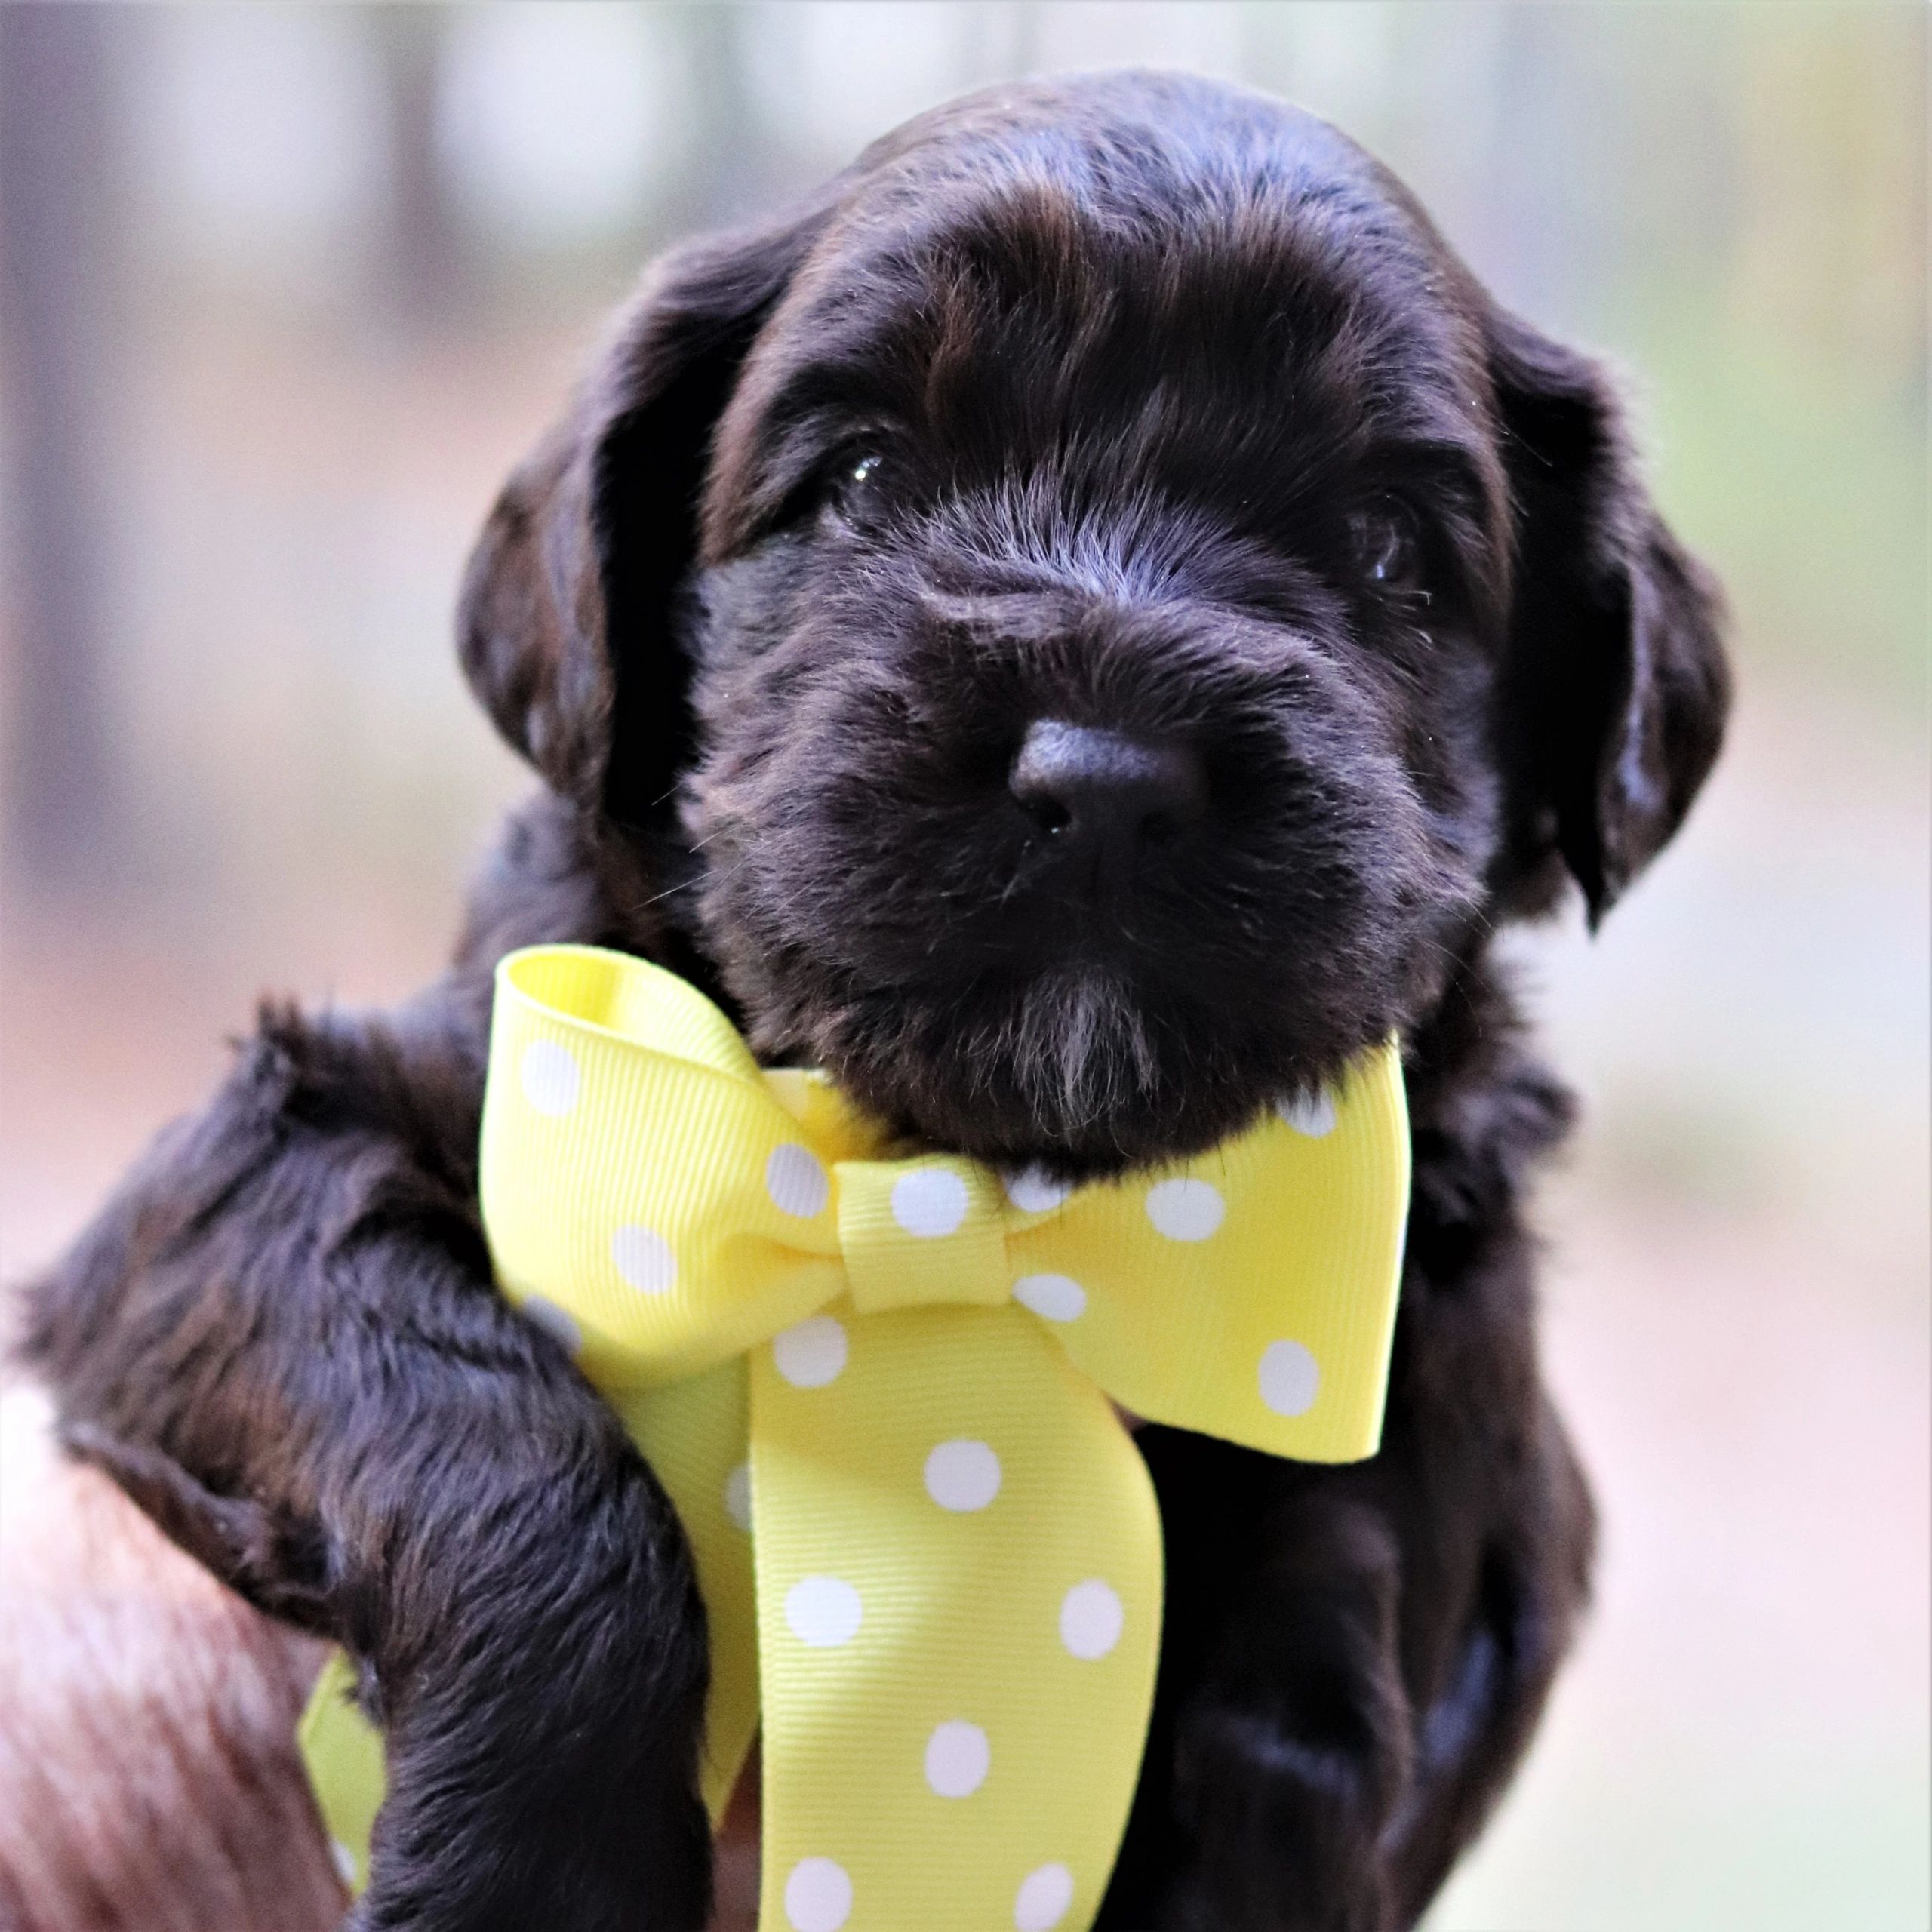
[285,1342]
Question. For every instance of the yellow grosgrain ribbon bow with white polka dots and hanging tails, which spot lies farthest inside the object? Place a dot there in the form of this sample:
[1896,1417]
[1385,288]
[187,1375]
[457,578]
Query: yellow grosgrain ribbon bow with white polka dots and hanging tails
[878,1392]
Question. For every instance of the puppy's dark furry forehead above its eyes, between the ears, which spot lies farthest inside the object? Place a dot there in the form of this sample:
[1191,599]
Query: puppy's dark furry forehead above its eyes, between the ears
[1006,291]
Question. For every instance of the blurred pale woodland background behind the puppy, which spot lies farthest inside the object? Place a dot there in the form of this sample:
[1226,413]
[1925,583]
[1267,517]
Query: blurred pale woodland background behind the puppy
[289,291]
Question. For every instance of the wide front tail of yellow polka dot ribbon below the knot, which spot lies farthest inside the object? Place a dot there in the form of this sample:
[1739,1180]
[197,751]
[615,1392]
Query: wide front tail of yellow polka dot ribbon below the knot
[959,1601]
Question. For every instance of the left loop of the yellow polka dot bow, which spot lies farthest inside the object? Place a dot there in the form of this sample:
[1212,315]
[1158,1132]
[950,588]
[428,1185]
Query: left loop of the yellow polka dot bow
[646,1191]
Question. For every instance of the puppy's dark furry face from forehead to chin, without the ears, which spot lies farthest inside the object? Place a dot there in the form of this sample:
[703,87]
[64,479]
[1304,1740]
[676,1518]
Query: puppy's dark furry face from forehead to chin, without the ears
[1093,666]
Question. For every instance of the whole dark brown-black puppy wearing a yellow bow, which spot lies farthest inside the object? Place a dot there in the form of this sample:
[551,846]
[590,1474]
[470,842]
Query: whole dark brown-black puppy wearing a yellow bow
[1079,631]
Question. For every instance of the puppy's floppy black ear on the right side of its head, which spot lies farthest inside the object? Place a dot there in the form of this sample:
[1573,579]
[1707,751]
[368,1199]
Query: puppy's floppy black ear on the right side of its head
[1616,691]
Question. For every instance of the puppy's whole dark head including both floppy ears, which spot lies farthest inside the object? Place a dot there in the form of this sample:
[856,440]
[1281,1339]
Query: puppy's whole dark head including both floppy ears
[1096,613]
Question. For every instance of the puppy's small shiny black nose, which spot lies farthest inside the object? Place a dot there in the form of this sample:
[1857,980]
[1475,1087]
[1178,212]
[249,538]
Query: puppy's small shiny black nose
[1104,789]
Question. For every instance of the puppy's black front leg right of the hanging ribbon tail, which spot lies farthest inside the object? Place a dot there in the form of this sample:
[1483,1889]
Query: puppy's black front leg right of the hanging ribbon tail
[1282,1738]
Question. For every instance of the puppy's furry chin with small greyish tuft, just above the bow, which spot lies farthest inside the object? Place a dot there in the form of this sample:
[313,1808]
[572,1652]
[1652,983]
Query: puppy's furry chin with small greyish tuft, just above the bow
[1083,1065]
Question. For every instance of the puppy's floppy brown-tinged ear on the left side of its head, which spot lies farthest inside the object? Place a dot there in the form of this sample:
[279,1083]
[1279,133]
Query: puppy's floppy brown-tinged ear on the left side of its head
[567,619]
